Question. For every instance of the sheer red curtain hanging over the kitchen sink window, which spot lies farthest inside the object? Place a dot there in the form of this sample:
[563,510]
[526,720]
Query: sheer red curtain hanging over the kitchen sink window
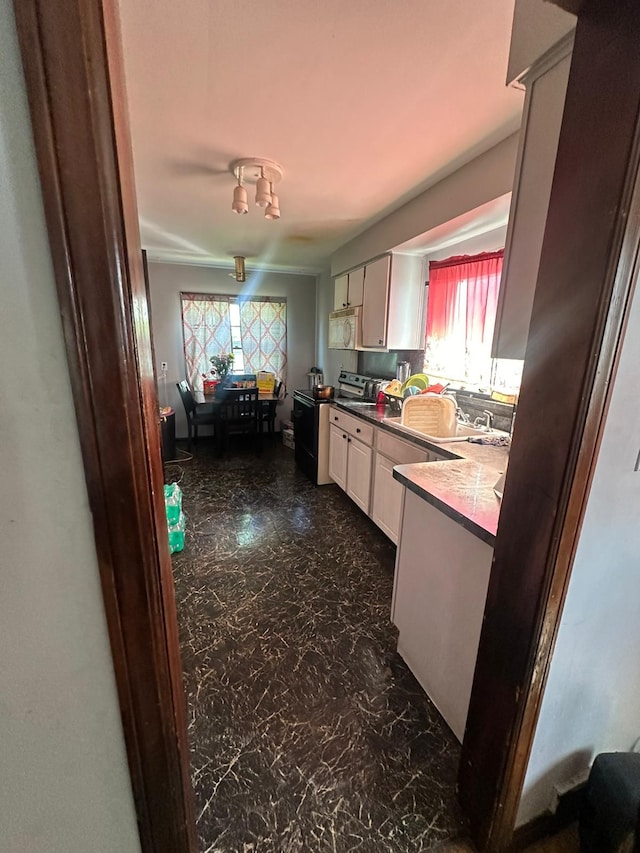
[481,273]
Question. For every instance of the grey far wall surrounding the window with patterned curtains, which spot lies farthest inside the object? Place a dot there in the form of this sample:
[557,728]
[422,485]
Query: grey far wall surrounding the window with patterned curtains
[166,281]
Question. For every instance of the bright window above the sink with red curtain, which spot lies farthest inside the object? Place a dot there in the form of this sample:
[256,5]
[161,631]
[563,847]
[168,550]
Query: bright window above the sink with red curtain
[461,315]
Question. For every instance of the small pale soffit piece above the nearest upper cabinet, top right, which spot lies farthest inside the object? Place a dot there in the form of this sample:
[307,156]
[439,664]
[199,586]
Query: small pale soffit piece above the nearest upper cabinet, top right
[537,26]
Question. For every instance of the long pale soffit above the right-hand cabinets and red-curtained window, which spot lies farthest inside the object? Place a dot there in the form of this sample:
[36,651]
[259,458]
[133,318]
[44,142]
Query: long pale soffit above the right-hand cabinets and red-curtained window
[483,179]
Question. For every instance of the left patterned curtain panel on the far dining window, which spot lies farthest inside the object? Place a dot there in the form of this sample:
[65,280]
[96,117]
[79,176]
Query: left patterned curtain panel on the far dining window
[206,330]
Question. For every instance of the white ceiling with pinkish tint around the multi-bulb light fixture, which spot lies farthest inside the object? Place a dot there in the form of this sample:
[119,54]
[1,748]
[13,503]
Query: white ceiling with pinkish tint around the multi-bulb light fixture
[363,103]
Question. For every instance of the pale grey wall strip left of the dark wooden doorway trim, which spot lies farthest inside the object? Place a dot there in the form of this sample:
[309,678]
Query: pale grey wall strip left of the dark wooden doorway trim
[64,781]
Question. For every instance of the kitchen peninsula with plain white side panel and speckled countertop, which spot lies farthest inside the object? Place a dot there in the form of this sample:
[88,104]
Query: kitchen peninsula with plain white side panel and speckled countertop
[448,522]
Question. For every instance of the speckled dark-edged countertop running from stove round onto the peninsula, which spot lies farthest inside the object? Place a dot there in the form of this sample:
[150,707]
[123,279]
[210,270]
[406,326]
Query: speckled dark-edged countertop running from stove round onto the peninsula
[461,486]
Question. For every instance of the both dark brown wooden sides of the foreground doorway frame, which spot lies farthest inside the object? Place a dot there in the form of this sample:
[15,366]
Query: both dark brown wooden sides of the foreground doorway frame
[73,68]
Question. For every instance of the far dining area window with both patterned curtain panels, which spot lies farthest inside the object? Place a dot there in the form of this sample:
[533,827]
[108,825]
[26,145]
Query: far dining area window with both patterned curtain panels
[254,330]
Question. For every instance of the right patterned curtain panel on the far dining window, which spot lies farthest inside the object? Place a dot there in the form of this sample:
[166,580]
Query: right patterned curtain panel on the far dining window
[264,335]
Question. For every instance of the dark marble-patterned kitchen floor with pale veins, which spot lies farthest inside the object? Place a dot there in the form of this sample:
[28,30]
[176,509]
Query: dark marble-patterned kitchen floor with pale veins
[307,731]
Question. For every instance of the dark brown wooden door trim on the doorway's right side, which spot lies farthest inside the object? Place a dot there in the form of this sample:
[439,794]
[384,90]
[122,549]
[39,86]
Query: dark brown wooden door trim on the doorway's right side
[583,287]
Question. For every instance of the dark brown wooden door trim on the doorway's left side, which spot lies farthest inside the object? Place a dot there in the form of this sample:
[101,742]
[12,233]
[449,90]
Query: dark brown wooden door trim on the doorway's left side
[73,69]
